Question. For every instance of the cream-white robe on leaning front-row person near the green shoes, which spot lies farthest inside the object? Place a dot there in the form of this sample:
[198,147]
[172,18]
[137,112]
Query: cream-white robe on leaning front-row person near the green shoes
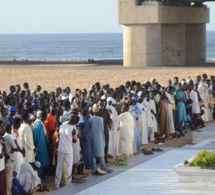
[126,133]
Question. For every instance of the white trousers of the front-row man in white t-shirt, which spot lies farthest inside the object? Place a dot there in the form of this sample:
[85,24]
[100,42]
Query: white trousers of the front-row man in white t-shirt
[68,159]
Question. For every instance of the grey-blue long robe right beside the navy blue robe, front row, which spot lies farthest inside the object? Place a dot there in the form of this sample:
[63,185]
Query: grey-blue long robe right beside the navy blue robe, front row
[97,136]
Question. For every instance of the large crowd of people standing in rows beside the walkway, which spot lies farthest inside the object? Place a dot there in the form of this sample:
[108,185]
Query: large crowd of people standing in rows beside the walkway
[61,133]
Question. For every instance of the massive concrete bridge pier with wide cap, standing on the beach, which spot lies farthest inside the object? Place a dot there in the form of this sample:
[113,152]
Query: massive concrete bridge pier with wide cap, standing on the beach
[164,32]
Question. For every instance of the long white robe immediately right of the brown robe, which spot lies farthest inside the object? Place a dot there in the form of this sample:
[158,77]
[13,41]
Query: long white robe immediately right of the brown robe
[170,113]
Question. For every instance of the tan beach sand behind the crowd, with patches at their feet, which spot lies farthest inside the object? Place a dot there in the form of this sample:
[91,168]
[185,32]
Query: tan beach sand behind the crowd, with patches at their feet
[83,75]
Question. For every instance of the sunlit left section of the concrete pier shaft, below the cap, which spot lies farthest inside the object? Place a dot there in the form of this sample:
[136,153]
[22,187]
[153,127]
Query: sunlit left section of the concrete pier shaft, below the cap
[141,45]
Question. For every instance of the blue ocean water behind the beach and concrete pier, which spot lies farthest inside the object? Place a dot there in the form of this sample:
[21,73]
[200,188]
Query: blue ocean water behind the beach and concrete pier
[98,46]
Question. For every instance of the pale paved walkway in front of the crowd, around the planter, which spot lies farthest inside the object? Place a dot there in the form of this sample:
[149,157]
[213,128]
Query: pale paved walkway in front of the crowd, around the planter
[146,174]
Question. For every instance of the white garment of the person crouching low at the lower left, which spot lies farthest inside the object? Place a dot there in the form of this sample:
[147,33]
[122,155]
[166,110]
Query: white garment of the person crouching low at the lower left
[28,177]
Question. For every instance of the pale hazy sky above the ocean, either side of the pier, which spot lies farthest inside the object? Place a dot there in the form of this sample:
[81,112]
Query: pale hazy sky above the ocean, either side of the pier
[64,16]
